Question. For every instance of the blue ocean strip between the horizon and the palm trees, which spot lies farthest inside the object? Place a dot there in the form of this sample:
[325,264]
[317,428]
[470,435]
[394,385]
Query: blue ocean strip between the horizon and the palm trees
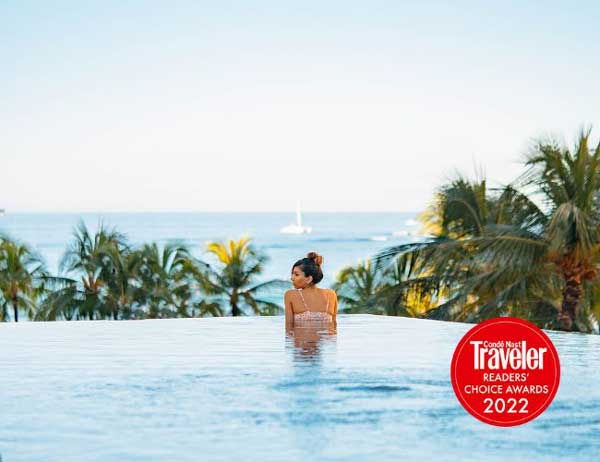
[342,238]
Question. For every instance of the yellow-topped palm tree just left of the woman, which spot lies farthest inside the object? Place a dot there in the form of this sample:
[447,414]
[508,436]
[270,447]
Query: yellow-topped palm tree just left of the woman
[239,264]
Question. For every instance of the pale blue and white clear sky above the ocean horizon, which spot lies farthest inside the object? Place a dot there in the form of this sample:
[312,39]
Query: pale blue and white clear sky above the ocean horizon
[250,106]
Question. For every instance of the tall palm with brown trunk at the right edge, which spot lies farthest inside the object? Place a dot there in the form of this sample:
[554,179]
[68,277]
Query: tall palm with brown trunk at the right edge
[568,183]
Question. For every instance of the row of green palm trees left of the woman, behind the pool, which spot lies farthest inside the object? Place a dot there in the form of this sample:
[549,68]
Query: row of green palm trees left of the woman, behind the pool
[104,277]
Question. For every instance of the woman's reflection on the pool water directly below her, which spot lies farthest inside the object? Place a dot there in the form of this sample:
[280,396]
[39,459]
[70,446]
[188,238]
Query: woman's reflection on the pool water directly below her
[308,342]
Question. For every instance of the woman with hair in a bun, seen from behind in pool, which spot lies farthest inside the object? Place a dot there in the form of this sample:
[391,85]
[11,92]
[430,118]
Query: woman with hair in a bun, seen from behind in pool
[306,304]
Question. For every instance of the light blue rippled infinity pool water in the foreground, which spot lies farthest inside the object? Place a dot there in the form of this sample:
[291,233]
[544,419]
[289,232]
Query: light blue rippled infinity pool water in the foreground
[224,389]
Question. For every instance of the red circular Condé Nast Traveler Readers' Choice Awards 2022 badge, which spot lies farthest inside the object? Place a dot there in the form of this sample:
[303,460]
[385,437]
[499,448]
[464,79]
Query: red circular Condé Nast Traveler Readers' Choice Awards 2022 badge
[505,371]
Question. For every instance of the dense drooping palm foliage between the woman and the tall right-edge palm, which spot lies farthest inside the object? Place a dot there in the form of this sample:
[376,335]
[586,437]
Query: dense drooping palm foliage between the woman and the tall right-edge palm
[459,266]
